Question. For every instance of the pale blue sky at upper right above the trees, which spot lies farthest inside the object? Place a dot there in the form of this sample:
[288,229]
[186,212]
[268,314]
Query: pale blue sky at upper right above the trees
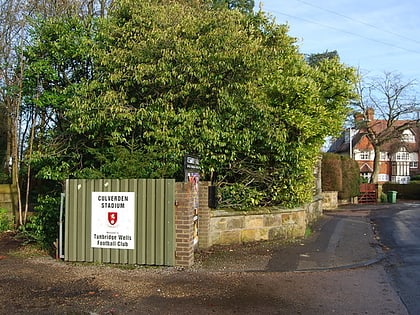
[375,36]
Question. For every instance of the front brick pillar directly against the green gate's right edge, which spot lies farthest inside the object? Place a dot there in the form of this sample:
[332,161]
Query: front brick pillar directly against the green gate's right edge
[184,227]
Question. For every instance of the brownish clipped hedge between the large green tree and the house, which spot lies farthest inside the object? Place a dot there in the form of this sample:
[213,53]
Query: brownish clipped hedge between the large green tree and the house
[340,173]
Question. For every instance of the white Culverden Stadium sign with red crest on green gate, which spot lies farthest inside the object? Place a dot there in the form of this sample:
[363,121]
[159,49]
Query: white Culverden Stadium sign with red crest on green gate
[113,220]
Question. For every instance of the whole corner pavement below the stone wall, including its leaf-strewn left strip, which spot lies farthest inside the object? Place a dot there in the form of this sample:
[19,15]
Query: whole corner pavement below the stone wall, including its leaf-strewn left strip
[340,239]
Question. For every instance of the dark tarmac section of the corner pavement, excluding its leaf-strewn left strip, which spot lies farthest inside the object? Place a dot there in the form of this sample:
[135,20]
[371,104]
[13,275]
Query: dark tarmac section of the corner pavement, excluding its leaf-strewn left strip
[341,240]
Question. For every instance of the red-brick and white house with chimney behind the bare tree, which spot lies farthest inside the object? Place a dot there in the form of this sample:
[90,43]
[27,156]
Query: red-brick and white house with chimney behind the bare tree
[399,159]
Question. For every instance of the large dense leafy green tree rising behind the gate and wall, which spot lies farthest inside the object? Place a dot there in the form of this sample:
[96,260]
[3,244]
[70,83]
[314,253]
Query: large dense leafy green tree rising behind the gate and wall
[154,81]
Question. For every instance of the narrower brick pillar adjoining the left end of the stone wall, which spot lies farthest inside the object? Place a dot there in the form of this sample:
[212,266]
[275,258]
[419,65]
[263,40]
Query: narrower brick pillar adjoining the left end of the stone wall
[204,216]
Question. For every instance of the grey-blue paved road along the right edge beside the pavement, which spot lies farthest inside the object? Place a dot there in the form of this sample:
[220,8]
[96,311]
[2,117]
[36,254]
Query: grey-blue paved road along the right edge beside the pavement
[399,231]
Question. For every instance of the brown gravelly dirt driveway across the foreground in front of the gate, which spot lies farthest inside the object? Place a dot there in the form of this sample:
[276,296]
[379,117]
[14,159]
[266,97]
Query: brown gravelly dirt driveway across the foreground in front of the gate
[37,284]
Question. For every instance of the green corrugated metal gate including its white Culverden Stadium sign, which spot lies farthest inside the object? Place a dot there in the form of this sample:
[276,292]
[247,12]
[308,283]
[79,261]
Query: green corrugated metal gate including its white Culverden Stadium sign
[128,221]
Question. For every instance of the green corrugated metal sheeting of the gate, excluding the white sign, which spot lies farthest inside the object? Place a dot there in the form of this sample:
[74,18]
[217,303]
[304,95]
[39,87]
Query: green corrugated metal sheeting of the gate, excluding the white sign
[154,215]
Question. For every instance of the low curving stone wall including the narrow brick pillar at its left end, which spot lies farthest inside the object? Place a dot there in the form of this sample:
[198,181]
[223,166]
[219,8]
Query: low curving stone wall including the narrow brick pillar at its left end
[234,227]
